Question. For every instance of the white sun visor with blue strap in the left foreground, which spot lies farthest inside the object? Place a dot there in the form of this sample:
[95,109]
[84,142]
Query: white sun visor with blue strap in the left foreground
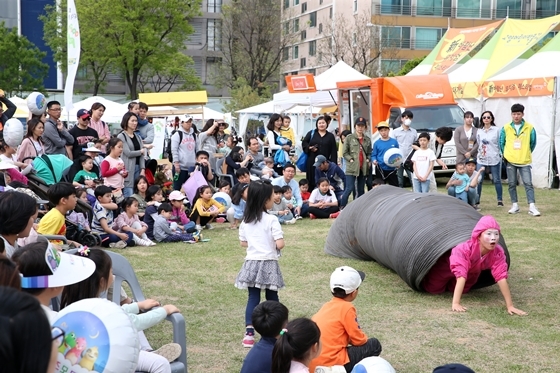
[66,270]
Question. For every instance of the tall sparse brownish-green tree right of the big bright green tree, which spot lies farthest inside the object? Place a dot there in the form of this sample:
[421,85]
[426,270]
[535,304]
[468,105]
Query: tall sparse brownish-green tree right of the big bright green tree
[251,43]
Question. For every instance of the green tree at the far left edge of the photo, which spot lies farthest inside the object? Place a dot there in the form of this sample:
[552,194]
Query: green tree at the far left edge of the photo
[21,66]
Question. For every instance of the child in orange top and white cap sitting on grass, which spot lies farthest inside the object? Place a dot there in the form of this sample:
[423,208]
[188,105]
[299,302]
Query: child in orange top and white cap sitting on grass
[338,322]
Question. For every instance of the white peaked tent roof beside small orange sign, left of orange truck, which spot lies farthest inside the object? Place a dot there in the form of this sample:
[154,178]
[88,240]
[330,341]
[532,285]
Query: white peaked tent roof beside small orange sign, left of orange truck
[325,83]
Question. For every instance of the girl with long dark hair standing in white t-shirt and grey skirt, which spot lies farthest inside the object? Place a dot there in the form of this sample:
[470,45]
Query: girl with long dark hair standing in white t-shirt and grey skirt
[262,235]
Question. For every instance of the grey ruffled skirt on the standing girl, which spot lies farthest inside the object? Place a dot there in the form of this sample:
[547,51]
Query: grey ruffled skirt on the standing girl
[263,274]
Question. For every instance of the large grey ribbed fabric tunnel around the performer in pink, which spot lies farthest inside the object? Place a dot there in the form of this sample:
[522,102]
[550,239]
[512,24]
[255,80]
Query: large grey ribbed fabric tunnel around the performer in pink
[404,231]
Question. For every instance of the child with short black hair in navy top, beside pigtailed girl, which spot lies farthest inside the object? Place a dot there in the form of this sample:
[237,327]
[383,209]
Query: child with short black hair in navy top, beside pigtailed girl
[268,319]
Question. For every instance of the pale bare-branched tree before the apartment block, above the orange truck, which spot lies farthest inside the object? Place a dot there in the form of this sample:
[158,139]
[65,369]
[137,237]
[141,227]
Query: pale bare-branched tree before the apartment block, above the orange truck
[355,41]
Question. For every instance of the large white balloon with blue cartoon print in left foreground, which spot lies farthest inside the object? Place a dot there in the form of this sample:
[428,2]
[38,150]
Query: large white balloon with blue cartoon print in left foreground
[99,337]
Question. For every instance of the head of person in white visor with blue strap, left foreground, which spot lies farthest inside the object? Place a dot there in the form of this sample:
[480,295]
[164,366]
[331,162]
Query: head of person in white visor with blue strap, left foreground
[35,269]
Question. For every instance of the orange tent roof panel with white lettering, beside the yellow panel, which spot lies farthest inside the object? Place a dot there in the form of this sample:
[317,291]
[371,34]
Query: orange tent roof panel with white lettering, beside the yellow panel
[458,43]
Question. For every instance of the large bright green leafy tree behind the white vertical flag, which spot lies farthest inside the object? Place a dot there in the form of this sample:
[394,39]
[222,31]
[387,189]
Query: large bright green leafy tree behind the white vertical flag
[127,35]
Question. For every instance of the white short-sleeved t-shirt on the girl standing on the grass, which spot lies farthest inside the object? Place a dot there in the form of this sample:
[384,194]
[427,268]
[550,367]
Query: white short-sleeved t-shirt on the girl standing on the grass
[260,237]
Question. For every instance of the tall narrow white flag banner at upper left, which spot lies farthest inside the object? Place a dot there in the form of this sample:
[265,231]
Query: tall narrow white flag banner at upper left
[73,47]
